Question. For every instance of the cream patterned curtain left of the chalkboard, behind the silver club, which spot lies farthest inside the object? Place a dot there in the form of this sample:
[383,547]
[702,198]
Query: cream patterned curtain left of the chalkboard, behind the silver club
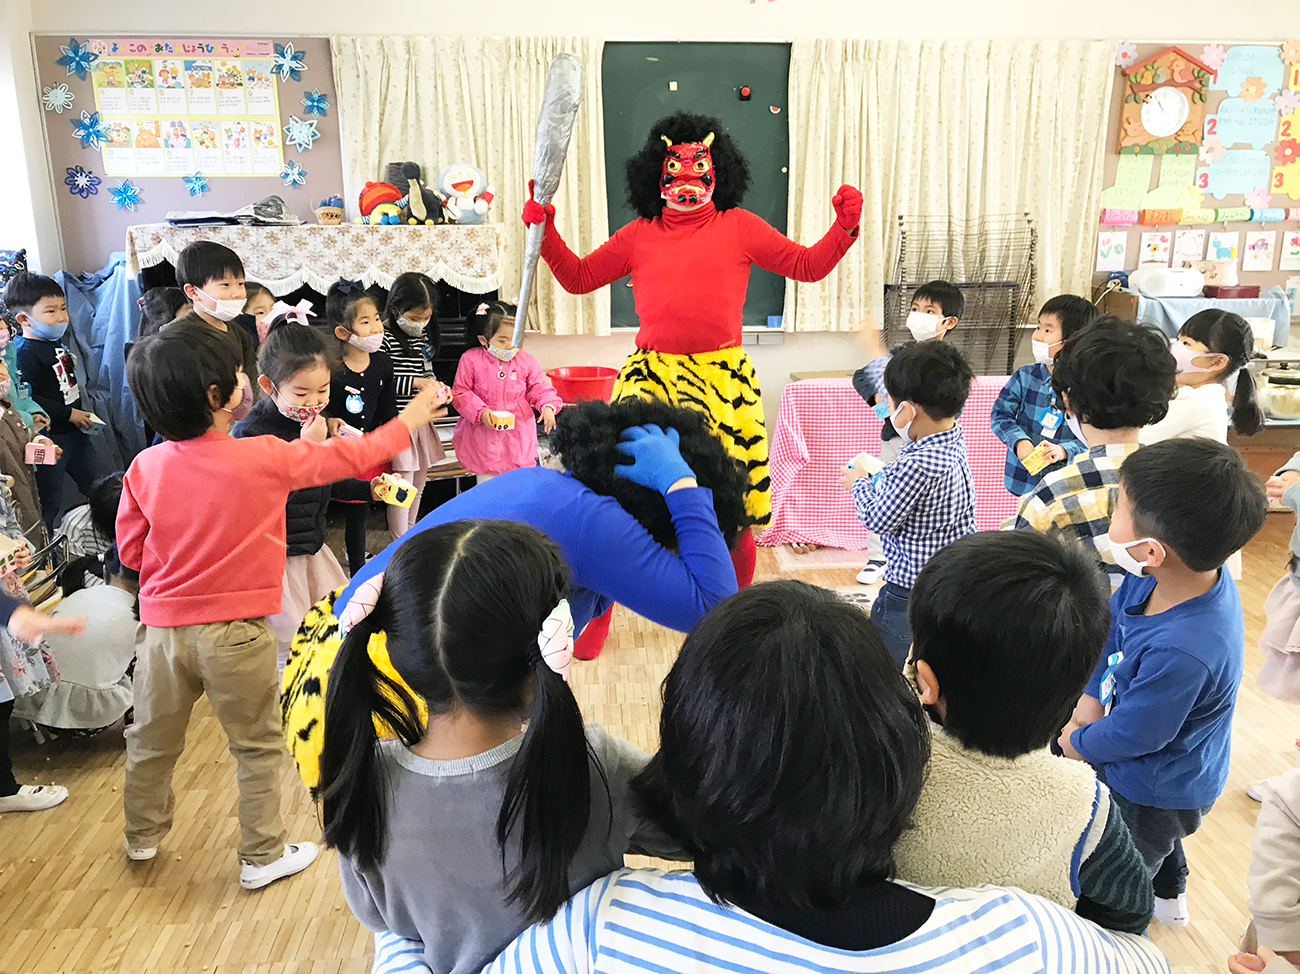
[447,99]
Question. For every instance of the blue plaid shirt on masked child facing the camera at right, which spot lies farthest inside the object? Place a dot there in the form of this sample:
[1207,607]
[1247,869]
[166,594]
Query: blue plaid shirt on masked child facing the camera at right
[1026,409]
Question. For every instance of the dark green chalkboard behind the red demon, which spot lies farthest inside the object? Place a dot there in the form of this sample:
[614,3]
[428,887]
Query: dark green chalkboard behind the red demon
[638,80]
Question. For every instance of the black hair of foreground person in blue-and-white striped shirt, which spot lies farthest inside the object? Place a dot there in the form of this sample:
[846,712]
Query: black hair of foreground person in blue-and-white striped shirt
[792,751]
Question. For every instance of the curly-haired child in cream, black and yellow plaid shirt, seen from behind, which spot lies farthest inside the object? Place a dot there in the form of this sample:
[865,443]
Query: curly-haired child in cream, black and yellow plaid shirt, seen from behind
[1113,378]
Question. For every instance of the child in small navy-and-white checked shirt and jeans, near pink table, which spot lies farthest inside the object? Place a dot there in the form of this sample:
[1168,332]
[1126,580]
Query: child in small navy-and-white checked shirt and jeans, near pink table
[925,499]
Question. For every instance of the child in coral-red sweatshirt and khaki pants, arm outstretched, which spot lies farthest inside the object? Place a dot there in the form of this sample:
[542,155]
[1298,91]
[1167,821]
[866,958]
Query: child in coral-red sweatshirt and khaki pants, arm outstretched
[202,520]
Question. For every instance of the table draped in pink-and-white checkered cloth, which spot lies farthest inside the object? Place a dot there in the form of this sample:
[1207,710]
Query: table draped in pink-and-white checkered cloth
[824,425]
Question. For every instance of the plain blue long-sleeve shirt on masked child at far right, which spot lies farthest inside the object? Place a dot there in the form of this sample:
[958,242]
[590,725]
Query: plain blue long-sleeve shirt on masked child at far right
[1168,737]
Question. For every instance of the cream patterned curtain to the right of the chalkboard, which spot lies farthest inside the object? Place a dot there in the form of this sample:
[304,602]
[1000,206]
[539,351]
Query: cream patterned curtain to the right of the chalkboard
[954,128]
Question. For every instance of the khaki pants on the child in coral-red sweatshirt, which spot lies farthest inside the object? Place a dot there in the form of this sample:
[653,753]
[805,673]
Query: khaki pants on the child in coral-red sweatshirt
[235,664]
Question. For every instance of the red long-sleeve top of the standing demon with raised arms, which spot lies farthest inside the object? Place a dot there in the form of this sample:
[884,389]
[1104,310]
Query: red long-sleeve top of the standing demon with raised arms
[690,271]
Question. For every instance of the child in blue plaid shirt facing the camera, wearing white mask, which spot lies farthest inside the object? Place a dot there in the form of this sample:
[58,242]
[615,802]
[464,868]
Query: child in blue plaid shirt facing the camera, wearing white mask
[1026,413]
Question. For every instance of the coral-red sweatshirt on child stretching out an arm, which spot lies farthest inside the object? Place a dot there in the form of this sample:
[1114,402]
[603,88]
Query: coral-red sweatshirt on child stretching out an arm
[203,521]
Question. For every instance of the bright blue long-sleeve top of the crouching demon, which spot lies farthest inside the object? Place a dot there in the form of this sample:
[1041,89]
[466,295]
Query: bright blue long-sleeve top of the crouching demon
[612,557]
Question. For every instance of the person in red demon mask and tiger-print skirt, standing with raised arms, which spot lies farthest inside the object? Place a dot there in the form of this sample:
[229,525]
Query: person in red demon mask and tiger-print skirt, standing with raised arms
[690,258]
